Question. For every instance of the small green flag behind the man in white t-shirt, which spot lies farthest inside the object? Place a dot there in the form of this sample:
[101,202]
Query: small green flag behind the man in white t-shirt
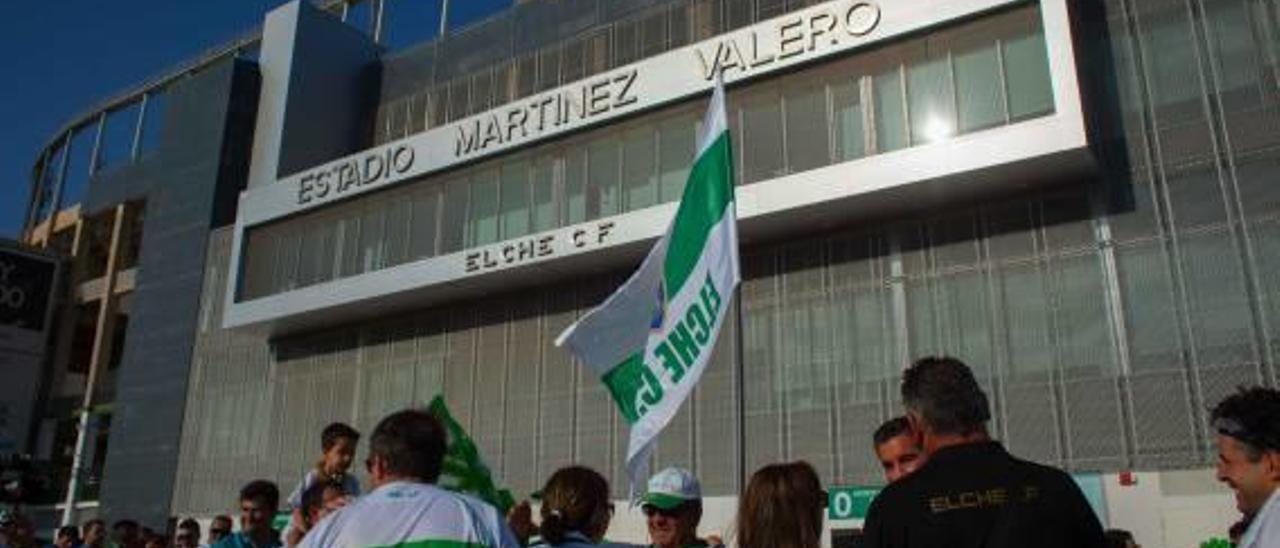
[464,472]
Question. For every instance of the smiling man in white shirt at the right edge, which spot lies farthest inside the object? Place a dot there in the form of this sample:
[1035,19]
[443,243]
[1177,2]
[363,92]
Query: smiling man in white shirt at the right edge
[1249,460]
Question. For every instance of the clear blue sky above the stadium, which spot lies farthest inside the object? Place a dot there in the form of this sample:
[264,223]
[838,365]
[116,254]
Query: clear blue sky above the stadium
[63,57]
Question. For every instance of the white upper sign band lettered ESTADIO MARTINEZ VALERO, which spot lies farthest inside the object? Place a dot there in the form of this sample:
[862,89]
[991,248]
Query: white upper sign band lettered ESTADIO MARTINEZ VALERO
[771,47]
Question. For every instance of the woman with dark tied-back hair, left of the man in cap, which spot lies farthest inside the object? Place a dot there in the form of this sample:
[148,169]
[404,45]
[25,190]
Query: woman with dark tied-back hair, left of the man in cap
[577,509]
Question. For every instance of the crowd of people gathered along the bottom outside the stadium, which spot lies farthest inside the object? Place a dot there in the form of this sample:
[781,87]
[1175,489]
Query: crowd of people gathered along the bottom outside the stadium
[949,485]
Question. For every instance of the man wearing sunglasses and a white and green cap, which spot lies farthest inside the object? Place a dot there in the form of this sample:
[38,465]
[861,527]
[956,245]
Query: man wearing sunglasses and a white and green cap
[674,506]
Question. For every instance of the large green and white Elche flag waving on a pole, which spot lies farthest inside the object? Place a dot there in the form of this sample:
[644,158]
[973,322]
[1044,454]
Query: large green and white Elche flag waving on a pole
[651,341]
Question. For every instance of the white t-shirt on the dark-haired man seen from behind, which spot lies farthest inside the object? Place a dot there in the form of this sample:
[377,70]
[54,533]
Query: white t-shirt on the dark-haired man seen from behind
[413,513]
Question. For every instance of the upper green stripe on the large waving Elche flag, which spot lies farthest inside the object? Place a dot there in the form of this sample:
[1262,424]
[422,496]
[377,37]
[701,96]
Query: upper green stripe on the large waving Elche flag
[708,194]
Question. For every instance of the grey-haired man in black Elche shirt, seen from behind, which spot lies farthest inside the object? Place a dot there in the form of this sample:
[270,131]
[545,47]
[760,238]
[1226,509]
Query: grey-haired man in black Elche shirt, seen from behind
[972,494]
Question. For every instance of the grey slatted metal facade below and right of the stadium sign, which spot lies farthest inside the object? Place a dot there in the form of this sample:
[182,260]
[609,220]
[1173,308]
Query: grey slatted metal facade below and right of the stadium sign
[1104,317]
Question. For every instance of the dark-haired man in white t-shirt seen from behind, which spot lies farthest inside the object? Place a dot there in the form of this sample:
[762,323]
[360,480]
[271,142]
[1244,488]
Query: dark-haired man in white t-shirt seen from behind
[406,453]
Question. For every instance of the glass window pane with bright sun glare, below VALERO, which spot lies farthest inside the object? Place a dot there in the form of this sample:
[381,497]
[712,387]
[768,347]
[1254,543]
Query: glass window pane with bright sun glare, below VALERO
[929,85]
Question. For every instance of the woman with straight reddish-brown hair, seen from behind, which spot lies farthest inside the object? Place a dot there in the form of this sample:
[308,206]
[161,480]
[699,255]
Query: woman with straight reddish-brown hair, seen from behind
[781,509]
